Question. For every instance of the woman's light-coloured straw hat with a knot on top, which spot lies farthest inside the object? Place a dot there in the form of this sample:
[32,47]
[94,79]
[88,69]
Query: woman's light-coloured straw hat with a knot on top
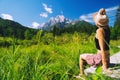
[100,18]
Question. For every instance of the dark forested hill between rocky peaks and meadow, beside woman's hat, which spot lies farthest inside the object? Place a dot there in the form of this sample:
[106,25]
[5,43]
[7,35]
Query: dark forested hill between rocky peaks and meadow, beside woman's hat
[80,27]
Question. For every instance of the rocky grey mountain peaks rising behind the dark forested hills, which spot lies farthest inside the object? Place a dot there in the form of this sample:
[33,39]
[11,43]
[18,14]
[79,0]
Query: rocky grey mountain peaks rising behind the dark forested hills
[60,21]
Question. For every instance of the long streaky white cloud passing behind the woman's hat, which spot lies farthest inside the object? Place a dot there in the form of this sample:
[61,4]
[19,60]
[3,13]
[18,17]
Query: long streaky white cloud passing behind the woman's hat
[110,13]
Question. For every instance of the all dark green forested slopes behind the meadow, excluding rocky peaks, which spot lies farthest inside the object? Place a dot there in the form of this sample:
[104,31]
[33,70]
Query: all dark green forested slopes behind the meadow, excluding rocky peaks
[13,29]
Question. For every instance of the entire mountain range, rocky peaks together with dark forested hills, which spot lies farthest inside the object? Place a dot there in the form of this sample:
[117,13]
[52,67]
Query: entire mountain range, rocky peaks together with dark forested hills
[59,23]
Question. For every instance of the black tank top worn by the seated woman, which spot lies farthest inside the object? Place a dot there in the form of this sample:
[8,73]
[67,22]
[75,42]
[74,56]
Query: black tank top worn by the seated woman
[106,41]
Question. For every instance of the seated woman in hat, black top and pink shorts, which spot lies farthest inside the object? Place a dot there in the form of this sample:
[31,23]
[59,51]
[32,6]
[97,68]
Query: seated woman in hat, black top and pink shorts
[102,39]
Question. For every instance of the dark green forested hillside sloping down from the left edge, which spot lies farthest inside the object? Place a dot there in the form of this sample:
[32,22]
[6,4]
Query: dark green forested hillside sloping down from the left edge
[10,28]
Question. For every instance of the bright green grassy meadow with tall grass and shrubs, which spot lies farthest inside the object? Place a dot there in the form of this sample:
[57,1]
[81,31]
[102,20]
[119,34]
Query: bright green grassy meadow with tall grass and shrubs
[49,58]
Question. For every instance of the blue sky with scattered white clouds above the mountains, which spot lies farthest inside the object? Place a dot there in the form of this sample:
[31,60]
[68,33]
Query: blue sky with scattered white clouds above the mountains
[33,13]
